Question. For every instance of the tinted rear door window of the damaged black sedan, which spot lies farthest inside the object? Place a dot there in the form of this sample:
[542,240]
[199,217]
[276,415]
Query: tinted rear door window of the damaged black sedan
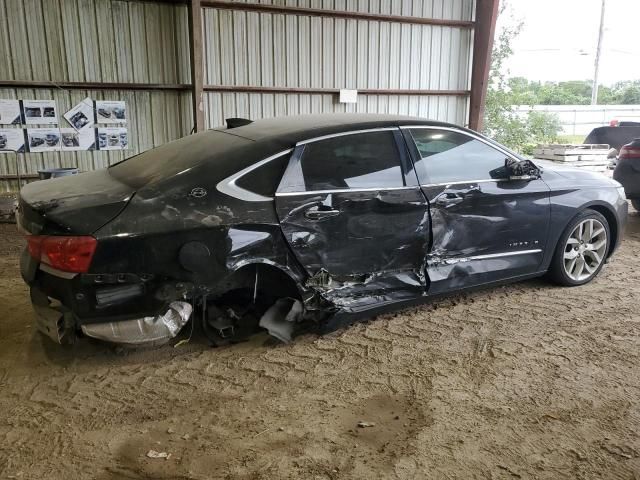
[362,160]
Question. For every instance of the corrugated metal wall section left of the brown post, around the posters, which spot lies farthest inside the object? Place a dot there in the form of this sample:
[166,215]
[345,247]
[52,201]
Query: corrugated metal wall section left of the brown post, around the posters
[98,41]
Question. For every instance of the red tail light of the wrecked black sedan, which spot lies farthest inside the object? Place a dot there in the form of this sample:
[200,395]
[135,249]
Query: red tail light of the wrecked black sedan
[69,254]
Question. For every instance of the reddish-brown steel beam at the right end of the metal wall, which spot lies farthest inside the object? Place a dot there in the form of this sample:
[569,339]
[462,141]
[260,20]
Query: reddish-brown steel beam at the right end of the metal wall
[486,15]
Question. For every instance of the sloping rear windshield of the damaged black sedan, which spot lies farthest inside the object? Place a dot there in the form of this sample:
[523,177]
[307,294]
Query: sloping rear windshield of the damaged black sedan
[175,157]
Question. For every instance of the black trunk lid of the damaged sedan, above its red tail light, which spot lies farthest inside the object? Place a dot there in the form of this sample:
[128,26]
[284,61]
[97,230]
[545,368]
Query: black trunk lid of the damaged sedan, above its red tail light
[75,204]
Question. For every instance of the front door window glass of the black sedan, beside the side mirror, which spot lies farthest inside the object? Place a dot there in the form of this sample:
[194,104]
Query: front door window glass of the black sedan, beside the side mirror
[447,156]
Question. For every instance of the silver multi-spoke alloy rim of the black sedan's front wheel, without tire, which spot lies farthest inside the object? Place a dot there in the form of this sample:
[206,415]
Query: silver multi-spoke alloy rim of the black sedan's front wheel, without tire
[585,250]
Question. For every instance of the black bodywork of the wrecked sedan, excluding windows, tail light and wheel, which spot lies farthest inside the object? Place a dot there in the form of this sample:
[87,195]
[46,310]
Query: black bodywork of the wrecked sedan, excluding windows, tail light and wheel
[169,229]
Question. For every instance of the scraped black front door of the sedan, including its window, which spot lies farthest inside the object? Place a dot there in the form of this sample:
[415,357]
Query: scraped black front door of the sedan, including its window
[486,227]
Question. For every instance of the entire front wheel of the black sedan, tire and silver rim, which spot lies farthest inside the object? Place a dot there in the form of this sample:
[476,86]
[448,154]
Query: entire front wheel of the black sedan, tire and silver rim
[582,249]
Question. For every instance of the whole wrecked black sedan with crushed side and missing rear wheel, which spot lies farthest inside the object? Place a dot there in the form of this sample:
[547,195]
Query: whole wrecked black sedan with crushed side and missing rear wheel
[302,223]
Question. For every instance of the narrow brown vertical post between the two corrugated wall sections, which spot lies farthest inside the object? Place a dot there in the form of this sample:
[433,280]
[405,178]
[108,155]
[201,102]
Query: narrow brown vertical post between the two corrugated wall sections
[197,70]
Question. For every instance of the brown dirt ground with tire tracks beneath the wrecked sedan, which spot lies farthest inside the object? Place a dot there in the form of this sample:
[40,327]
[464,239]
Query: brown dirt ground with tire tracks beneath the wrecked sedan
[525,381]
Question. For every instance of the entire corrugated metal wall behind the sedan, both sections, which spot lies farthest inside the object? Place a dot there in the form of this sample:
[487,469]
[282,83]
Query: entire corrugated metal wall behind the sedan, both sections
[146,42]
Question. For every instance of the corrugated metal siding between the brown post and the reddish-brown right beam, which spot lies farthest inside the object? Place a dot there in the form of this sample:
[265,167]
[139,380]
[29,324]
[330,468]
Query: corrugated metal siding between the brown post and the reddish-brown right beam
[265,49]
